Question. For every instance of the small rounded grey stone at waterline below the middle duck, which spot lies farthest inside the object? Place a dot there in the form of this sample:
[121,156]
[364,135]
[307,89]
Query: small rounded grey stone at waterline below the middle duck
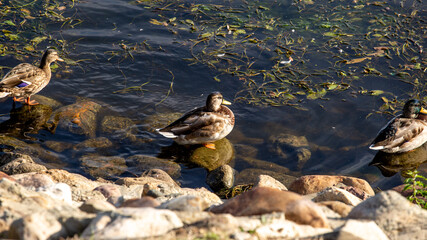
[220,178]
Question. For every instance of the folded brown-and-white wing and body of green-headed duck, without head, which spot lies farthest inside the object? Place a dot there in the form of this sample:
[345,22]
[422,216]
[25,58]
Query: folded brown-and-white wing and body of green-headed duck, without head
[401,134]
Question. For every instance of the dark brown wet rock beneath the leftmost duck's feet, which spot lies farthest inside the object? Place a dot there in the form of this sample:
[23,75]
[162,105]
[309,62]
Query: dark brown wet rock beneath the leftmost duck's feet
[26,120]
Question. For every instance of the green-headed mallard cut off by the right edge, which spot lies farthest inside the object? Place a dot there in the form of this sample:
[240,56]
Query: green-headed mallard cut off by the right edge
[405,132]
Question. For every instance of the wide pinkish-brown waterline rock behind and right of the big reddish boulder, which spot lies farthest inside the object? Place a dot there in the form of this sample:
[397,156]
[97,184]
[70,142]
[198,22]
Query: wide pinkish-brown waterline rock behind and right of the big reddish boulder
[315,183]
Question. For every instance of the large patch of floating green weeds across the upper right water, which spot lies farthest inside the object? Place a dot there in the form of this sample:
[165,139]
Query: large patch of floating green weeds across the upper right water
[319,49]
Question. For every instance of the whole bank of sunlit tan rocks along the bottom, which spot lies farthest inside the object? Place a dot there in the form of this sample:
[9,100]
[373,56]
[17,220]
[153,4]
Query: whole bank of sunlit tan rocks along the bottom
[41,203]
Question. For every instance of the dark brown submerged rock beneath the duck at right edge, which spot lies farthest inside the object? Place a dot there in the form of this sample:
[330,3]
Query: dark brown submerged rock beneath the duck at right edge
[391,163]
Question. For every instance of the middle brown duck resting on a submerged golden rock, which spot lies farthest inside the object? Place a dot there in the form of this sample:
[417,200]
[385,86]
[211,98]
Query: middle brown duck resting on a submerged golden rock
[203,125]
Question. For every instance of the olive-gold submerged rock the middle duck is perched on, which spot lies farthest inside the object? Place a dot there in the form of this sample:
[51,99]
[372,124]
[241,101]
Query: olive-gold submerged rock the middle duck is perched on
[212,159]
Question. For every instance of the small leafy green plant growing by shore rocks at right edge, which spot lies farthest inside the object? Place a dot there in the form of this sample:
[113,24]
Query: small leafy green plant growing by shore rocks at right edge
[417,185]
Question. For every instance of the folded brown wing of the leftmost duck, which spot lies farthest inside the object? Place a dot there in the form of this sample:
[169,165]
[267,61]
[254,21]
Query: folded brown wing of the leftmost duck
[21,76]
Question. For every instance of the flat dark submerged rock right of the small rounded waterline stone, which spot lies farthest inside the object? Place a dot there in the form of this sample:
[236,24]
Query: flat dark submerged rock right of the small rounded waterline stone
[250,176]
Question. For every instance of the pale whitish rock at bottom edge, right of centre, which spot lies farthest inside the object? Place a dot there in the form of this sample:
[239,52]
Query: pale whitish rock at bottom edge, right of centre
[361,230]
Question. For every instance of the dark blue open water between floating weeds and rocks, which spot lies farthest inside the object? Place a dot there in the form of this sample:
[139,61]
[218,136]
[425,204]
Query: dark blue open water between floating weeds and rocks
[337,129]
